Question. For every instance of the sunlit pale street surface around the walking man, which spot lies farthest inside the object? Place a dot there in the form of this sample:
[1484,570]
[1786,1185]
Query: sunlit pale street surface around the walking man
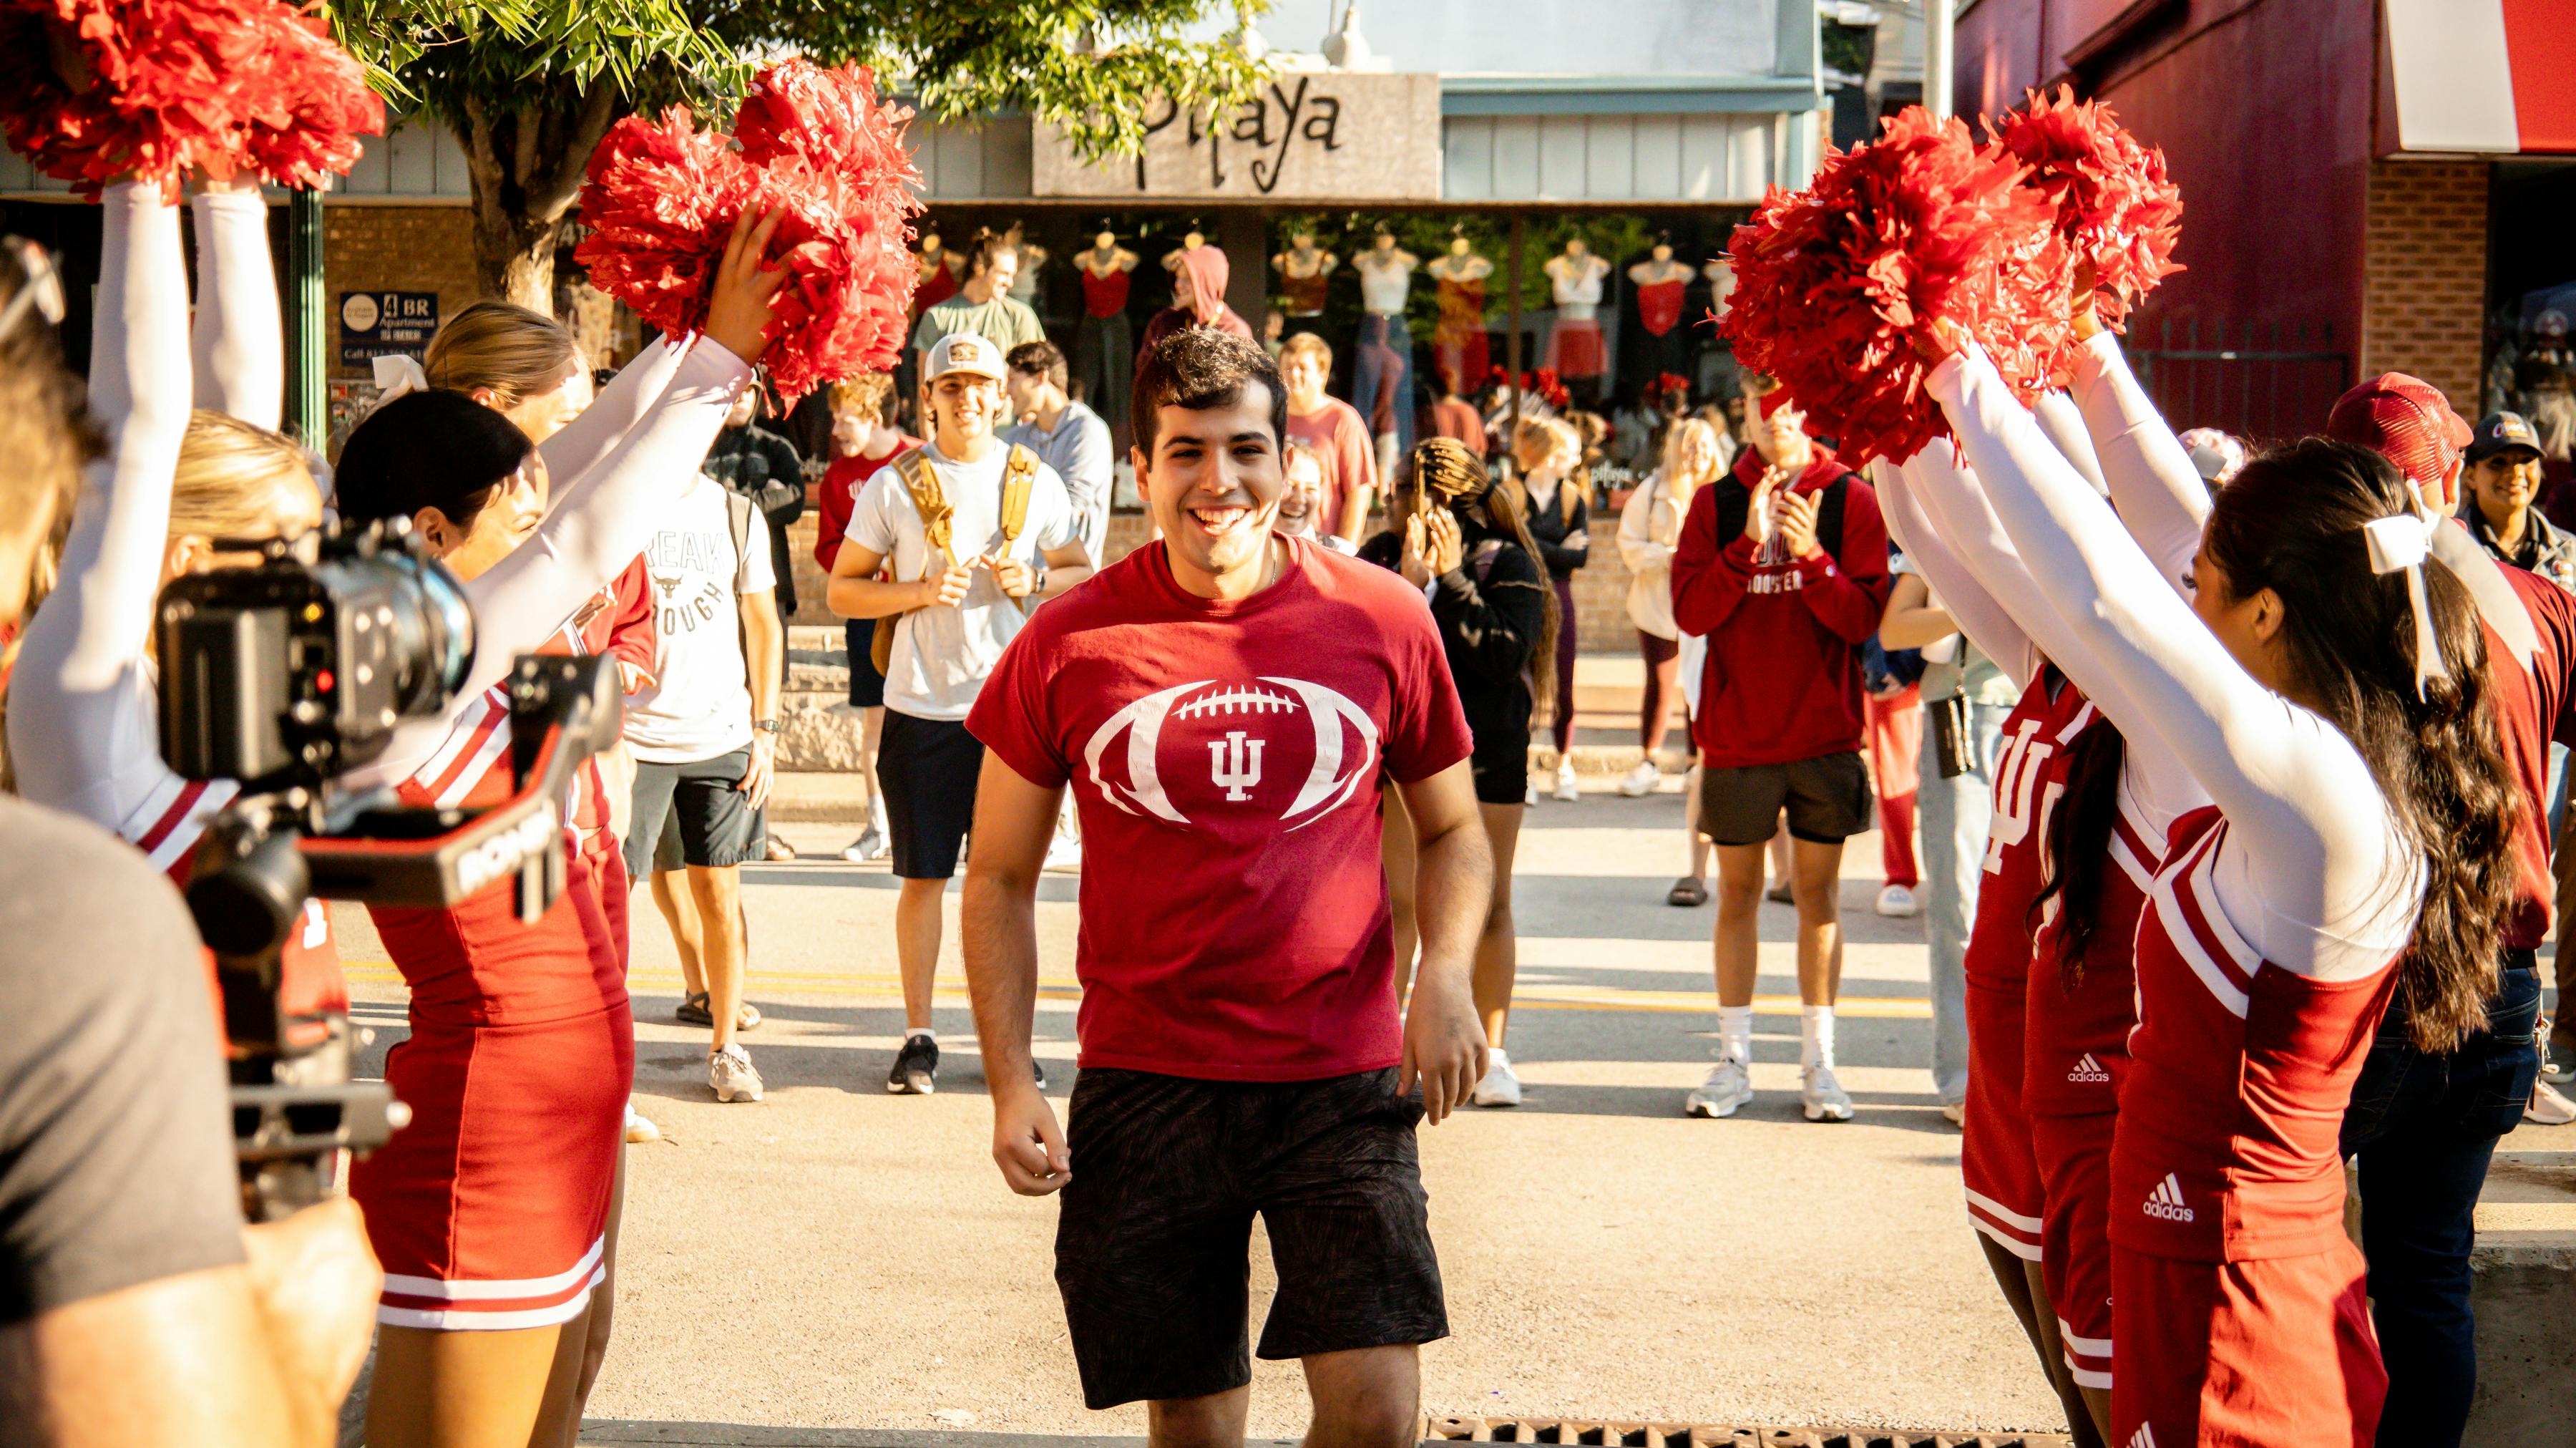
[844,1259]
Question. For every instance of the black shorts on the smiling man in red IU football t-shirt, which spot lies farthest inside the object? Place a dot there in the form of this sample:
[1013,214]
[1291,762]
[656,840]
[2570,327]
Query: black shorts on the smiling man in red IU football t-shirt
[1158,1225]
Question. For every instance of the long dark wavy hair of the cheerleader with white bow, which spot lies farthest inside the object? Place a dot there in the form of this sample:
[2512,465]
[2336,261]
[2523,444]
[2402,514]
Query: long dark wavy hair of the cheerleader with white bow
[2294,522]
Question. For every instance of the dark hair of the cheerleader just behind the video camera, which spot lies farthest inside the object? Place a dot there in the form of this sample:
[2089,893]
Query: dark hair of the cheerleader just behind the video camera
[426,450]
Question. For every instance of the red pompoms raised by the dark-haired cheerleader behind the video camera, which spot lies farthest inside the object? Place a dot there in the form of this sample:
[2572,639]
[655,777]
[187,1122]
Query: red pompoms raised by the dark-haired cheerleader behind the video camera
[815,146]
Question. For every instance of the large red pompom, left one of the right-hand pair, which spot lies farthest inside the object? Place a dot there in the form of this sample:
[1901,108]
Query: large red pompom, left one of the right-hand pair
[1841,282]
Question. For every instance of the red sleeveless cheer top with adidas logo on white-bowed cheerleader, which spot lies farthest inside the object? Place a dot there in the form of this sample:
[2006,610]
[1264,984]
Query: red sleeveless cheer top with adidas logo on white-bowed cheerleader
[2237,1086]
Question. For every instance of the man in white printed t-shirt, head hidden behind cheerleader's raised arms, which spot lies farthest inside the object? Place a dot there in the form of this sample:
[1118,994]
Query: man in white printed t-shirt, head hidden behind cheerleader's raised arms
[705,736]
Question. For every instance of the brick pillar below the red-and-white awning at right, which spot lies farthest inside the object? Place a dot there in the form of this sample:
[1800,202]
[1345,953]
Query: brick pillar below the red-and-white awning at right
[2425,274]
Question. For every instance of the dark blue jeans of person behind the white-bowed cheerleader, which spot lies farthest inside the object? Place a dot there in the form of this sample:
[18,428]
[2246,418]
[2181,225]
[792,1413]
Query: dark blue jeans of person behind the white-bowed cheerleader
[2425,1130]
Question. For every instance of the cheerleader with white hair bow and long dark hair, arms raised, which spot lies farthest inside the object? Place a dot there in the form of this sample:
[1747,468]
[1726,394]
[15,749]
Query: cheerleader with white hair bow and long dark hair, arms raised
[2333,700]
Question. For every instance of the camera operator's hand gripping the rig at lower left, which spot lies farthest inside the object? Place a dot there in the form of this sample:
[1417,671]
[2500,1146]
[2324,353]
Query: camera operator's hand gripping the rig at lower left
[316,1282]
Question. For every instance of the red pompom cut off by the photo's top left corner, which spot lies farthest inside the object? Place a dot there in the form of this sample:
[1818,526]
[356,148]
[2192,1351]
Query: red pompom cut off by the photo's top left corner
[94,91]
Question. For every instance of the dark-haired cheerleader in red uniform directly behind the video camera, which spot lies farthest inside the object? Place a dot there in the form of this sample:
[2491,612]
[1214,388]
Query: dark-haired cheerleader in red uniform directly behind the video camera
[491,1212]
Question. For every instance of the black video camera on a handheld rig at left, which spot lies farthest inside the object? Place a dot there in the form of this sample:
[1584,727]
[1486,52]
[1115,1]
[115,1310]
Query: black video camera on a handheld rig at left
[285,676]
